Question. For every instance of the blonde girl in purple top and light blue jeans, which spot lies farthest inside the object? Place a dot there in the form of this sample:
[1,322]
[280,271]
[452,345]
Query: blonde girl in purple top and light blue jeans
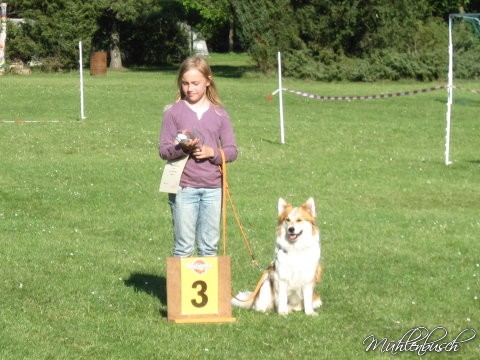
[199,116]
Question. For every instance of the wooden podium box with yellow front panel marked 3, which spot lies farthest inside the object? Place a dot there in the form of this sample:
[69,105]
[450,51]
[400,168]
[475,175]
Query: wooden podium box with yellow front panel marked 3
[199,290]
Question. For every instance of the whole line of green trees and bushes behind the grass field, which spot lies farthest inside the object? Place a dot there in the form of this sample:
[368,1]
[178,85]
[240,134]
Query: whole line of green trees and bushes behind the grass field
[357,40]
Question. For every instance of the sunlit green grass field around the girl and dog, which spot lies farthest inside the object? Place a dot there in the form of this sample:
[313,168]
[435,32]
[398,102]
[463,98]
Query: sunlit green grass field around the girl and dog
[84,232]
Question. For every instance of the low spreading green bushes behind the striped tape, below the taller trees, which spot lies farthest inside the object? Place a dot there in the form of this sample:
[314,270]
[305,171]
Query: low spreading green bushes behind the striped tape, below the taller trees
[427,64]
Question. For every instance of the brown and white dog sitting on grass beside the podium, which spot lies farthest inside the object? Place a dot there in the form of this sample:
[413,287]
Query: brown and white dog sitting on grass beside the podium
[289,284]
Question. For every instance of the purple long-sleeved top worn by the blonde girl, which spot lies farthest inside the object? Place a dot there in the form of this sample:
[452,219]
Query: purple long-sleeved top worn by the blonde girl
[215,125]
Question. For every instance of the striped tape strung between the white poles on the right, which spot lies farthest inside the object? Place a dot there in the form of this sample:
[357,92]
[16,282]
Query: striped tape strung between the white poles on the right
[368,97]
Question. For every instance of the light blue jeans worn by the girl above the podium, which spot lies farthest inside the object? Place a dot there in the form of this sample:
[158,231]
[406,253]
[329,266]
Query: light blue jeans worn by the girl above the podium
[196,216]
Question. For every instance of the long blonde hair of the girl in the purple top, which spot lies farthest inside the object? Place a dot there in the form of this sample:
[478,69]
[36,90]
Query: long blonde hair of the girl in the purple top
[199,63]
